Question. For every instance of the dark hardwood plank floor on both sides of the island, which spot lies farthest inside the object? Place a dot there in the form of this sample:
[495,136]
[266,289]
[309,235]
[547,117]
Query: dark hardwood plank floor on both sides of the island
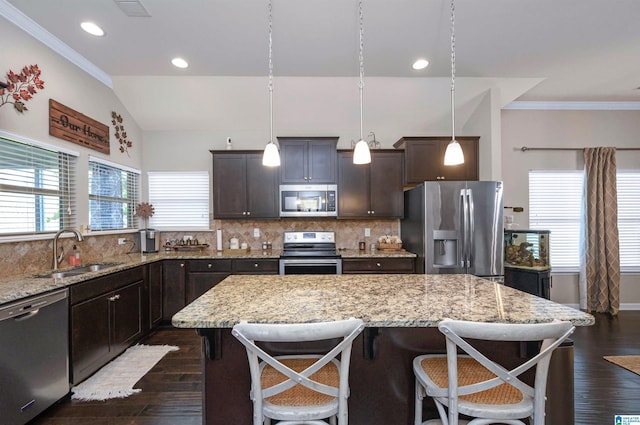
[171,391]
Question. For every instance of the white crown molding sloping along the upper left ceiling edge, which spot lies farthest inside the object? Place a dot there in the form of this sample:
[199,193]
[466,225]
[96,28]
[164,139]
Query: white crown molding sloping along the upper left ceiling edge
[22,21]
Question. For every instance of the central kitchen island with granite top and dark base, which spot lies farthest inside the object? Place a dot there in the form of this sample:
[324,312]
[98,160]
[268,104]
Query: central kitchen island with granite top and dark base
[400,312]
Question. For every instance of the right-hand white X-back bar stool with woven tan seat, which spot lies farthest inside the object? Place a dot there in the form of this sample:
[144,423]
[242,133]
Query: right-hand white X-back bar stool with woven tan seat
[473,385]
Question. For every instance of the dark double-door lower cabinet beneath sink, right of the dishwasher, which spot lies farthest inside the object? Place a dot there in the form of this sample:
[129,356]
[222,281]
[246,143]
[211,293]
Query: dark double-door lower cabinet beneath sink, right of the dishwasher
[105,318]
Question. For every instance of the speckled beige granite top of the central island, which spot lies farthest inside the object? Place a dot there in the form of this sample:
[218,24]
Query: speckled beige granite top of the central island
[402,300]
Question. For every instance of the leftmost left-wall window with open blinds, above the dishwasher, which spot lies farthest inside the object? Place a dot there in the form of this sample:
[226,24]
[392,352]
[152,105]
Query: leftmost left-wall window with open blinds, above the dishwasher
[37,187]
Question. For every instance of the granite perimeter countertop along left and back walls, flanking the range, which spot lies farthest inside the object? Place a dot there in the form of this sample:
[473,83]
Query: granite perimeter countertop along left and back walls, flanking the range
[14,288]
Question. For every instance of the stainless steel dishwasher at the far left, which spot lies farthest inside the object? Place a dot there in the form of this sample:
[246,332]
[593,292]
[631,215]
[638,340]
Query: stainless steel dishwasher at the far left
[34,355]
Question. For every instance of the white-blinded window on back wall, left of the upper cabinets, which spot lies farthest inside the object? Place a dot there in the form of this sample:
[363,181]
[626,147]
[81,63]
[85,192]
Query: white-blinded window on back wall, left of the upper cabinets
[180,200]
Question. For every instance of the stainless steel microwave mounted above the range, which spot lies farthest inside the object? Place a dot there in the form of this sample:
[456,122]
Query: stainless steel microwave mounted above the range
[308,200]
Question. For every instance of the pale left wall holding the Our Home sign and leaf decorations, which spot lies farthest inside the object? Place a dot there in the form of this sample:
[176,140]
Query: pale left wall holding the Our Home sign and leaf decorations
[69,85]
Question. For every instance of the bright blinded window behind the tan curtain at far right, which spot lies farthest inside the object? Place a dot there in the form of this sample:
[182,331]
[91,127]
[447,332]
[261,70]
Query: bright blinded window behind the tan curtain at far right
[555,203]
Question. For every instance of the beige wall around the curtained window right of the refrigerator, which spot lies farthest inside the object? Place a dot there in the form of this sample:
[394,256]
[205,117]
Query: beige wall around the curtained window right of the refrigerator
[565,129]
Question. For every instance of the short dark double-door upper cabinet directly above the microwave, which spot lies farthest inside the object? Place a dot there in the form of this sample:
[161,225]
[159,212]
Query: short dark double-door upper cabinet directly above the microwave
[308,160]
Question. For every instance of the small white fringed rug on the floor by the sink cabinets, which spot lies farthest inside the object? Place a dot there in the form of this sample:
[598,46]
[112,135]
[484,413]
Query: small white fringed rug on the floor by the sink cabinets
[116,379]
